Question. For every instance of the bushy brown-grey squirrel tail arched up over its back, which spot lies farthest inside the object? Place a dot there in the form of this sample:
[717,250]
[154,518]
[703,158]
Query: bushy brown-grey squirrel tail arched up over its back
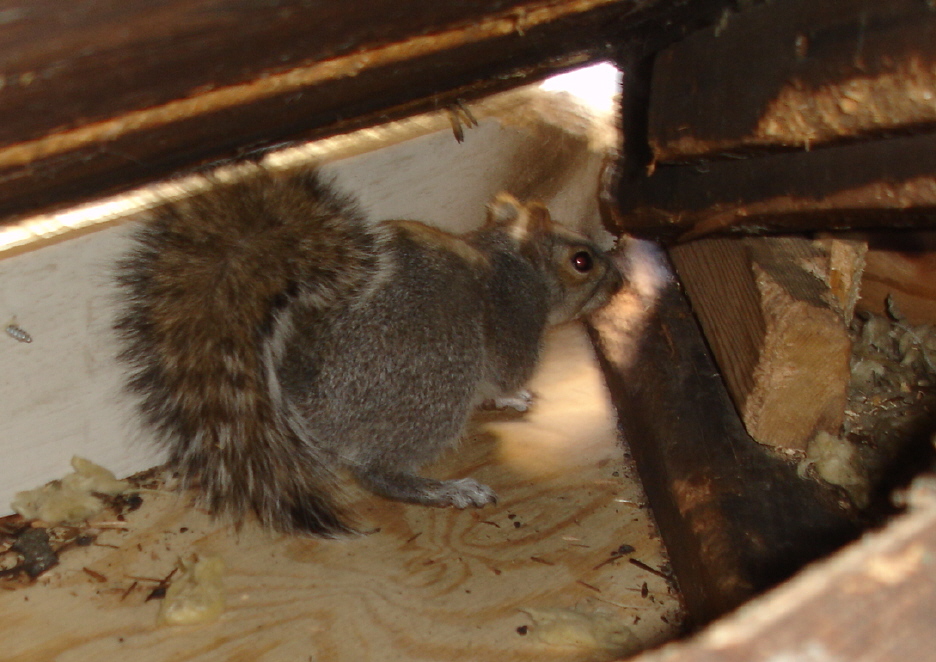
[208,288]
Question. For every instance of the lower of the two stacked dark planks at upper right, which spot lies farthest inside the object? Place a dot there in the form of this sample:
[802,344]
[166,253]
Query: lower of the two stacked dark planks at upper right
[880,183]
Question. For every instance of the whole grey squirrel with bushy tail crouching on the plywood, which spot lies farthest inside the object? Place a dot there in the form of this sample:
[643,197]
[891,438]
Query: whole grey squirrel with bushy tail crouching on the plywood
[276,339]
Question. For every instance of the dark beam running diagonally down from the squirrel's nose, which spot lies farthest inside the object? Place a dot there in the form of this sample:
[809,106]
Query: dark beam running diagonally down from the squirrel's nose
[735,518]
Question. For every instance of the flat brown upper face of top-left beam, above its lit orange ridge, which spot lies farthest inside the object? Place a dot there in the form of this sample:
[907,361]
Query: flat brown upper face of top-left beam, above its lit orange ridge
[77,63]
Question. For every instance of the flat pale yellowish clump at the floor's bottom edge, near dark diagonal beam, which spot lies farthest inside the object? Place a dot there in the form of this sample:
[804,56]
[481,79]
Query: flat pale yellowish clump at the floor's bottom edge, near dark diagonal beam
[597,632]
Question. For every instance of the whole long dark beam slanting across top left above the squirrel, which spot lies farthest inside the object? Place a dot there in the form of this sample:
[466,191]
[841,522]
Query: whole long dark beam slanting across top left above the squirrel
[100,96]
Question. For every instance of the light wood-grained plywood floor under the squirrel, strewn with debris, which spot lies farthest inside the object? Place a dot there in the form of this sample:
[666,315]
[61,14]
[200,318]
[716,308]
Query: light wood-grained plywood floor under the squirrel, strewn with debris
[426,585]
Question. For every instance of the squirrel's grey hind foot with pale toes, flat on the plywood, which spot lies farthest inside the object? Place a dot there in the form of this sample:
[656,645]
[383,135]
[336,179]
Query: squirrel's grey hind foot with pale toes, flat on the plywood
[410,488]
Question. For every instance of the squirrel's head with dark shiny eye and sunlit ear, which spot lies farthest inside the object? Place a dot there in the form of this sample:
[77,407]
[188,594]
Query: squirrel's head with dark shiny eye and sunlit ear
[579,276]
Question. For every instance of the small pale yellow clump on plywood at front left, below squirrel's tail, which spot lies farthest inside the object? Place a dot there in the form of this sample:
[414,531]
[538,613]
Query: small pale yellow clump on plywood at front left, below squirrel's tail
[197,596]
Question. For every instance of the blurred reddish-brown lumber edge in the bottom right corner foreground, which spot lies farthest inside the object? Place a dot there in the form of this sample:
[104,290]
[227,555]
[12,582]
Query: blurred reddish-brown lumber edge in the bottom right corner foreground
[873,602]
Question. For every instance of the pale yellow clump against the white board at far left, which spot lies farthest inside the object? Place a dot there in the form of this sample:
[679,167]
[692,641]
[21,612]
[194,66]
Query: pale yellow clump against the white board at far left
[71,499]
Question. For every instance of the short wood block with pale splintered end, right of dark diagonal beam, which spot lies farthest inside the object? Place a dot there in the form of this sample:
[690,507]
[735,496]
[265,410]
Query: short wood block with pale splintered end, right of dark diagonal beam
[774,311]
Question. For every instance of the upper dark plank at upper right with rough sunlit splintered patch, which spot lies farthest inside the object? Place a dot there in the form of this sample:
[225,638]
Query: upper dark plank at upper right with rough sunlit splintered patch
[794,74]
